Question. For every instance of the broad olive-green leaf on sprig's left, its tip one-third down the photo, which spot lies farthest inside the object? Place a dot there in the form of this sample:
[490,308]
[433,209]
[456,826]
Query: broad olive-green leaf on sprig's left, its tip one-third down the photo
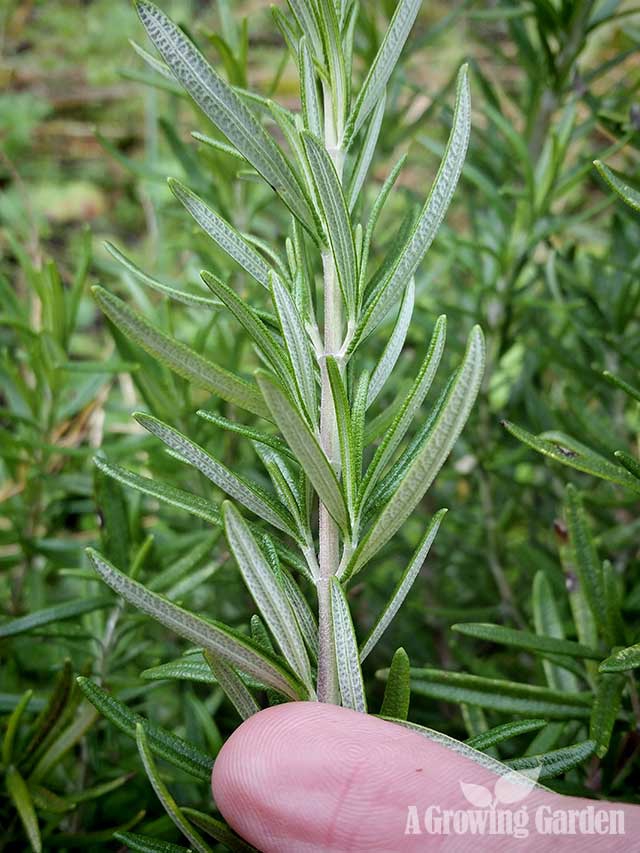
[178,357]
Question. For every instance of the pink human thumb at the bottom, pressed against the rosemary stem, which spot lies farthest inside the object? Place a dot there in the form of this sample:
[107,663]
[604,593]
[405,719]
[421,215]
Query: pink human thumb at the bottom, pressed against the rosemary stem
[313,777]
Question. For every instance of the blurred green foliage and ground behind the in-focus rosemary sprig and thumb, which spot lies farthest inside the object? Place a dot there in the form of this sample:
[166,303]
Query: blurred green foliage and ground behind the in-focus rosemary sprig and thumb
[535,248]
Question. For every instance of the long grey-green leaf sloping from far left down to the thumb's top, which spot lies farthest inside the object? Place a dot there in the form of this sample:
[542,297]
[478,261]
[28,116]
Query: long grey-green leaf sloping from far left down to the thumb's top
[232,646]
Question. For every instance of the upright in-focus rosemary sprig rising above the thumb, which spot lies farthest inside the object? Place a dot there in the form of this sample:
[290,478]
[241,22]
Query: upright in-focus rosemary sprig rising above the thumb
[342,486]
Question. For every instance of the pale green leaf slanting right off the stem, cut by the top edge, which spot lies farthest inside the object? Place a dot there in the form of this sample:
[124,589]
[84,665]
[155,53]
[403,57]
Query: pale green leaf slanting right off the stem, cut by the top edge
[382,66]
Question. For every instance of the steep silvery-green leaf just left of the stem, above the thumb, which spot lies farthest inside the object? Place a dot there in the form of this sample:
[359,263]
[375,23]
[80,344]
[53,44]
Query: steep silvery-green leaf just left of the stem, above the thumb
[267,593]
